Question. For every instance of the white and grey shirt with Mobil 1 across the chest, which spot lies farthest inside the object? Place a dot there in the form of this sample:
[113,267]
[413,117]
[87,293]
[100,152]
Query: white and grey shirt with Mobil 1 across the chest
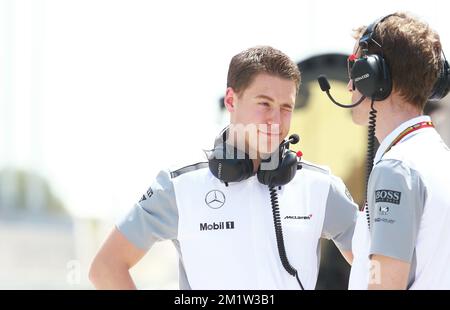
[225,235]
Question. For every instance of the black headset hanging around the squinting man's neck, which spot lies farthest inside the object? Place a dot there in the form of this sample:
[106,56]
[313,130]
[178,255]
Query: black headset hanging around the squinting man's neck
[229,164]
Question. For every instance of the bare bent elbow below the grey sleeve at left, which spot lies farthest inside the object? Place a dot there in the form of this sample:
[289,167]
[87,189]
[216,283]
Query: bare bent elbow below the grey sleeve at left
[111,265]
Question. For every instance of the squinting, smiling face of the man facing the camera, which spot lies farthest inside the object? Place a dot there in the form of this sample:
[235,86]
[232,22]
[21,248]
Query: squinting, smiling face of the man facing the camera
[263,110]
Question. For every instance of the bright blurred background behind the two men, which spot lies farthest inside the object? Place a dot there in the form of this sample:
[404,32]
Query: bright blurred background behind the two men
[97,96]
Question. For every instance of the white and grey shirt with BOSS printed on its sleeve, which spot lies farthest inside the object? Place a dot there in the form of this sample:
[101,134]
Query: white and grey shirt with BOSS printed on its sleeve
[409,210]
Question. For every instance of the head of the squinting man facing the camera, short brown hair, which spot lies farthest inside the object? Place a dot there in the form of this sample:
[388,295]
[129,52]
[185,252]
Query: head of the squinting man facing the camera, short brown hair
[261,90]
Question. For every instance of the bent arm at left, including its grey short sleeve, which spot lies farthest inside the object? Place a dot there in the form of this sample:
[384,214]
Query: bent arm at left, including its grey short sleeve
[154,218]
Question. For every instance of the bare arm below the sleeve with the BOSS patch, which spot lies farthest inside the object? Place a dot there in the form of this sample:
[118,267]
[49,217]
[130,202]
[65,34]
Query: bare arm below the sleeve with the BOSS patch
[392,274]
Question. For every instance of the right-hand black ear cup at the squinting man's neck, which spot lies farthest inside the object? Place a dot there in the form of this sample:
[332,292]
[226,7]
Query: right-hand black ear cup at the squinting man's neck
[285,172]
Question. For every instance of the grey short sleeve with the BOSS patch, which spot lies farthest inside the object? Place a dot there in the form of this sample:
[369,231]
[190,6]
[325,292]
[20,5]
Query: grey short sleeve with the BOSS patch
[397,196]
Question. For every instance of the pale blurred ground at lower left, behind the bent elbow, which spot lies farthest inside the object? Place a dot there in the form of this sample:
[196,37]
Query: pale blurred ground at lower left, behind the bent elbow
[48,252]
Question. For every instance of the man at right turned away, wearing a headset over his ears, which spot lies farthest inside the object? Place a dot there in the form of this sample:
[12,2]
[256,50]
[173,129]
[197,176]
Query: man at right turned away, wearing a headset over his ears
[401,238]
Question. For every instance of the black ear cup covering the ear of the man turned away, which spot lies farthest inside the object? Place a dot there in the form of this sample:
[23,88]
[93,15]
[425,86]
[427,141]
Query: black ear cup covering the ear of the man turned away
[371,77]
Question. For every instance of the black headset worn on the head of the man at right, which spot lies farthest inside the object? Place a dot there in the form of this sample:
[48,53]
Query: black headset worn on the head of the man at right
[370,73]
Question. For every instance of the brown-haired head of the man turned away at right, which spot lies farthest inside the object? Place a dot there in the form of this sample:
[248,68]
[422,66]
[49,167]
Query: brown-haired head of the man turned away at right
[412,52]
